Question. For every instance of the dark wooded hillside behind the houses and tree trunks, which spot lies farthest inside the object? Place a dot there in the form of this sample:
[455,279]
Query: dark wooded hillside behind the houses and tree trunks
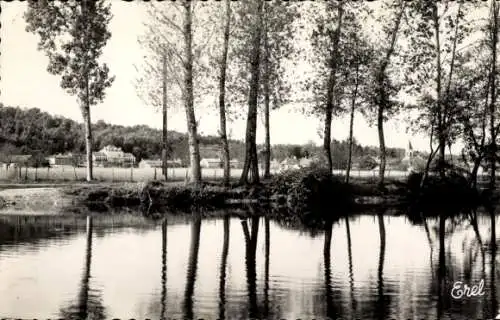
[31,131]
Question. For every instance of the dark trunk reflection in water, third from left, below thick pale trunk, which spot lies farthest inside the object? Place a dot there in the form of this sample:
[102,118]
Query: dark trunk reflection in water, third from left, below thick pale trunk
[192,267]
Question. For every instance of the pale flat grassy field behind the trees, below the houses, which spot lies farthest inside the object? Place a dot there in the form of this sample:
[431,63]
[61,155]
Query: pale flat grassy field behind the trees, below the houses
[139,174]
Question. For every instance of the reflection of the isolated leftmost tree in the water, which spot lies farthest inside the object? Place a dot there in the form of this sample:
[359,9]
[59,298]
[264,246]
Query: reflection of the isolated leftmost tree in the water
[88,305]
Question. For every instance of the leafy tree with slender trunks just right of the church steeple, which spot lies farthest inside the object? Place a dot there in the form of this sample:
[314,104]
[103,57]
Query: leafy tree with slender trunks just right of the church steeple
[436,31]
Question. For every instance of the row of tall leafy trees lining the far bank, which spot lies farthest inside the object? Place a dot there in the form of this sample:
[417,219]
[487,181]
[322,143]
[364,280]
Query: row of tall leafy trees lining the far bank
[432,61]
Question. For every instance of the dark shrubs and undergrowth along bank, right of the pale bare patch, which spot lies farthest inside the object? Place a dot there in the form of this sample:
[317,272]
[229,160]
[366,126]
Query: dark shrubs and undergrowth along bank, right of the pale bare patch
[307,193]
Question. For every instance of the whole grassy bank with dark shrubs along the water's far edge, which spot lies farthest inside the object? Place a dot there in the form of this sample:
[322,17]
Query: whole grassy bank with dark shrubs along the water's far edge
[309,195]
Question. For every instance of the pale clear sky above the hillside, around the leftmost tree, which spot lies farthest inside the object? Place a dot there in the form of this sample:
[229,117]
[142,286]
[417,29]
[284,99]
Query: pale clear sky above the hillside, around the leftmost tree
[26,83]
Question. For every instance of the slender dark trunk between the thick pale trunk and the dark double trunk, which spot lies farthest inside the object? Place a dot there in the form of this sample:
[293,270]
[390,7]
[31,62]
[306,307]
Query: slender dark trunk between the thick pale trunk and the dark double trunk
[222,97]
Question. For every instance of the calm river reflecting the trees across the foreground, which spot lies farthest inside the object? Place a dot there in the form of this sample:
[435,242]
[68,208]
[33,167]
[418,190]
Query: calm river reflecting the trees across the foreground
[368,266]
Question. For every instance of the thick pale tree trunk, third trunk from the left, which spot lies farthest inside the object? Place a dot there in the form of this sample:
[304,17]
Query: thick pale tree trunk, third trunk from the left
[194,150]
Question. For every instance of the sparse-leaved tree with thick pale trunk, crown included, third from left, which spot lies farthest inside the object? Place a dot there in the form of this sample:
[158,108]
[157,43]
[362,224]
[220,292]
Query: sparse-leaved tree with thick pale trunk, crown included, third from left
[177,38]
